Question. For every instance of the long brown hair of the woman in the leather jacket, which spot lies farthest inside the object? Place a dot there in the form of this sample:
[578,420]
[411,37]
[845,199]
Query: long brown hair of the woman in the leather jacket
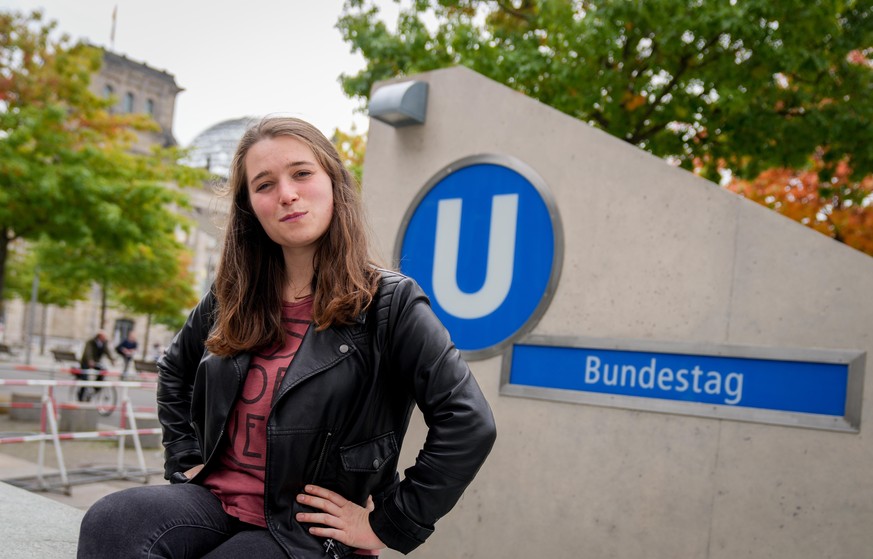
[251,275]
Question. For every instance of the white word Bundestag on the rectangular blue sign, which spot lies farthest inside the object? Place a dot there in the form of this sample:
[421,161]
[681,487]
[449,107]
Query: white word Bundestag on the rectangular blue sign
[649,377]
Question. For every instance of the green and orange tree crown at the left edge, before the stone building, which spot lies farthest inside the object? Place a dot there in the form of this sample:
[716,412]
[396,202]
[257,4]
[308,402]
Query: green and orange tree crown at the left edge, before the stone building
[67,177]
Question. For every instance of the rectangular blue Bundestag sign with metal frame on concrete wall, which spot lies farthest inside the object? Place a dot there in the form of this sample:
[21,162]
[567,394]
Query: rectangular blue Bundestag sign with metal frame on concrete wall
[809,388]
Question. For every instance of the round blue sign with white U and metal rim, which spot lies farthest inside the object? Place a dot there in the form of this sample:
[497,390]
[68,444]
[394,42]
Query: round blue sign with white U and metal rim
[483,239]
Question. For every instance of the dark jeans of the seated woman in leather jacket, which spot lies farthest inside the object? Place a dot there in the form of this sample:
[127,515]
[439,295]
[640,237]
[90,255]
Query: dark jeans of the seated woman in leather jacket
[163,521]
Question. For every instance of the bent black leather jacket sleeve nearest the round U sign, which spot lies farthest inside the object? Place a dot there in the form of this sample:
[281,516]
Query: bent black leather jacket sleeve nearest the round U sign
[461,428]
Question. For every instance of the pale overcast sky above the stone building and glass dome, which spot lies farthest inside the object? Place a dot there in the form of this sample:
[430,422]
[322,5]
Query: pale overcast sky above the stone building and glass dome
[233,58]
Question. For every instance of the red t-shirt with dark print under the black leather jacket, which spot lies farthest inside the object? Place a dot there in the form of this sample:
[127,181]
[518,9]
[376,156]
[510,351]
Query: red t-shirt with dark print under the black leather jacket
[239,481]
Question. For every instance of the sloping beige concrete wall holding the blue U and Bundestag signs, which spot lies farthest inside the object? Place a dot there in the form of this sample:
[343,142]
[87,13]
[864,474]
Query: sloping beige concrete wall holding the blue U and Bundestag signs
[651,252]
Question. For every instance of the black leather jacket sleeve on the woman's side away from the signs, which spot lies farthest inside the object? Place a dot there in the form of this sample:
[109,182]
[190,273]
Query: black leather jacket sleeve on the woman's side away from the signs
[176,371]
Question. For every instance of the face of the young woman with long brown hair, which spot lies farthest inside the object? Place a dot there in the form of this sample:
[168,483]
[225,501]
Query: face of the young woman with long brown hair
[291,194]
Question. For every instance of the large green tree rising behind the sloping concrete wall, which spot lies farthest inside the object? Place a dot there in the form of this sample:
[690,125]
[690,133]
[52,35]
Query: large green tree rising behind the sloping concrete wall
[739,85]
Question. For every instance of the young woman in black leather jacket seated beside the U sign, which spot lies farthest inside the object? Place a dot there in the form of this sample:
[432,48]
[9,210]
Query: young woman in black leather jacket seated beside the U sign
[286,396]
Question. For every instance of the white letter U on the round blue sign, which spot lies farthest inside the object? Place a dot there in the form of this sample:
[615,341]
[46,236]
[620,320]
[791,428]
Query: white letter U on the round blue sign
[501,258]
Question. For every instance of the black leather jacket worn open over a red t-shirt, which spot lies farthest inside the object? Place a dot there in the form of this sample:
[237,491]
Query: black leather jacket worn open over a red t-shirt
[340,416]
